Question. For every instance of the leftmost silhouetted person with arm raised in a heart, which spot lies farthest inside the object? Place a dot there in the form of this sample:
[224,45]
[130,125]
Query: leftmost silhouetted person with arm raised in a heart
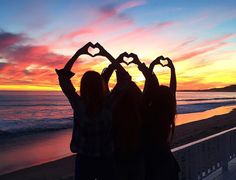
[92,124]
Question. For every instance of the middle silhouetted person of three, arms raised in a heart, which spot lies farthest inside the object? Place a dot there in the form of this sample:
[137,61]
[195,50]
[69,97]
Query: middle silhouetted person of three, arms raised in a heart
[126,100]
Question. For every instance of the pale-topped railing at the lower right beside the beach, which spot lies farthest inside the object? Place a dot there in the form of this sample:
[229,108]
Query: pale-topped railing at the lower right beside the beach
[200,158]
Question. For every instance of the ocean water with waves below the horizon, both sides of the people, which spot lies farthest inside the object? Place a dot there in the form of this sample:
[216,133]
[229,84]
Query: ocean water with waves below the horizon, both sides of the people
[25,112]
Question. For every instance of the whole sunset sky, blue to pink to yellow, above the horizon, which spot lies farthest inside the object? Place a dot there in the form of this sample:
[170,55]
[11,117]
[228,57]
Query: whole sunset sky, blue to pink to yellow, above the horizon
[38,36]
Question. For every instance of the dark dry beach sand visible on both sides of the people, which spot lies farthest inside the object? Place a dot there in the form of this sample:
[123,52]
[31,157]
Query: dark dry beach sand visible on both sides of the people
[64,168]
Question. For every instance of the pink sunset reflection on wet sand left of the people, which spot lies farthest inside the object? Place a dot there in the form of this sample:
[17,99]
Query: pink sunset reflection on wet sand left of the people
[22,152]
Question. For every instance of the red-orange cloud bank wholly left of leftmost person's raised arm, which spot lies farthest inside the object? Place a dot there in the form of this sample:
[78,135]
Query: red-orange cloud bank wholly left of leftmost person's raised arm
[18,58]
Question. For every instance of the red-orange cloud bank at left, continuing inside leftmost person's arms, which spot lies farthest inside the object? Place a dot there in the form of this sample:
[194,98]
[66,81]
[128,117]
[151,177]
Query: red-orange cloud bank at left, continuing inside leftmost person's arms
[34,65]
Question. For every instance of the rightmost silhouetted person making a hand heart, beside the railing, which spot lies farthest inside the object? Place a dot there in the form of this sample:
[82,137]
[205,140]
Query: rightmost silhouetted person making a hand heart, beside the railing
[159,104]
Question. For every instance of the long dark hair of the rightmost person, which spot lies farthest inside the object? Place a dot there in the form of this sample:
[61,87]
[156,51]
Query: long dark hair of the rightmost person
[160,107]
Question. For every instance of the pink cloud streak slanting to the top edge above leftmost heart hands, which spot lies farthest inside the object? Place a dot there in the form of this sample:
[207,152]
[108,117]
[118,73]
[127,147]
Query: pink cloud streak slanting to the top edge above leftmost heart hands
[108,19]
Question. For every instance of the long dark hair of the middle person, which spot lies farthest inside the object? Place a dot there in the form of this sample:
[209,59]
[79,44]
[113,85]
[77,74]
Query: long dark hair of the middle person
[127,120]
